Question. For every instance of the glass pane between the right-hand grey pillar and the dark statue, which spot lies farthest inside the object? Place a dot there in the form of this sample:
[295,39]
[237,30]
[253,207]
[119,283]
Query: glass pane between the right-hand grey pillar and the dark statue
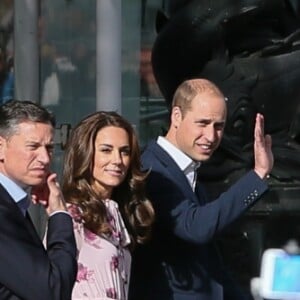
[142,102]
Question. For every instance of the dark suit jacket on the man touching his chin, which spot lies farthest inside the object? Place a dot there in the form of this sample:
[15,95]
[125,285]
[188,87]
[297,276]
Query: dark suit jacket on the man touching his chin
[27,270]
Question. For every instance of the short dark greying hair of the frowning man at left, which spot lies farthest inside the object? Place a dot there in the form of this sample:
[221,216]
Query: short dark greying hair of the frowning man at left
[14,112]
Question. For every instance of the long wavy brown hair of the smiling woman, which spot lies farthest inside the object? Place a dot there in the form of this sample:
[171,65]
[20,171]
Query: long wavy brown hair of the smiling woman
[135,208]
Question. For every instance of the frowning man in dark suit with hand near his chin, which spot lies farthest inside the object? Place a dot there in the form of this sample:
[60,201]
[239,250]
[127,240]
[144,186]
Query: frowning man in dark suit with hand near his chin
[27,270]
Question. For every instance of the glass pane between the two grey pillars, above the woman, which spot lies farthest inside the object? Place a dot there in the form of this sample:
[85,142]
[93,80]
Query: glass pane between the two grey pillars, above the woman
[68,52]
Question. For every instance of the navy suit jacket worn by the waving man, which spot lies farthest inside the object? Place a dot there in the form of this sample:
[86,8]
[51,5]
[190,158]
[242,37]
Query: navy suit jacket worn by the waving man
[181,262]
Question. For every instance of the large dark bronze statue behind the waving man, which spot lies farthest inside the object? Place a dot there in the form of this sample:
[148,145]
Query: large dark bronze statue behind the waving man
[251,49]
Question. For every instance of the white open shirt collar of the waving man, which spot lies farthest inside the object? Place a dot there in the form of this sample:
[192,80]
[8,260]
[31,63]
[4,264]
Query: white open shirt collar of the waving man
[183,161]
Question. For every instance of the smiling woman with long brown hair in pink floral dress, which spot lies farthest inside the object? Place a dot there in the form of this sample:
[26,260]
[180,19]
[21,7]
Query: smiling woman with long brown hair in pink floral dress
[104,188]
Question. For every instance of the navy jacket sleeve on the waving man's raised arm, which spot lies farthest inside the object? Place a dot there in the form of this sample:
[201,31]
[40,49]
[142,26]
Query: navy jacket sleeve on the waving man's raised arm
[194,222]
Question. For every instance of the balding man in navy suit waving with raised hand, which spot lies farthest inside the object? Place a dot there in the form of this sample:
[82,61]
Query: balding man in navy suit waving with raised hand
[182,261]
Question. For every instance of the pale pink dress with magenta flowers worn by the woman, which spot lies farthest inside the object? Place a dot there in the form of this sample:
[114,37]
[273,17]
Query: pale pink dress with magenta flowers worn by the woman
[103,261]
